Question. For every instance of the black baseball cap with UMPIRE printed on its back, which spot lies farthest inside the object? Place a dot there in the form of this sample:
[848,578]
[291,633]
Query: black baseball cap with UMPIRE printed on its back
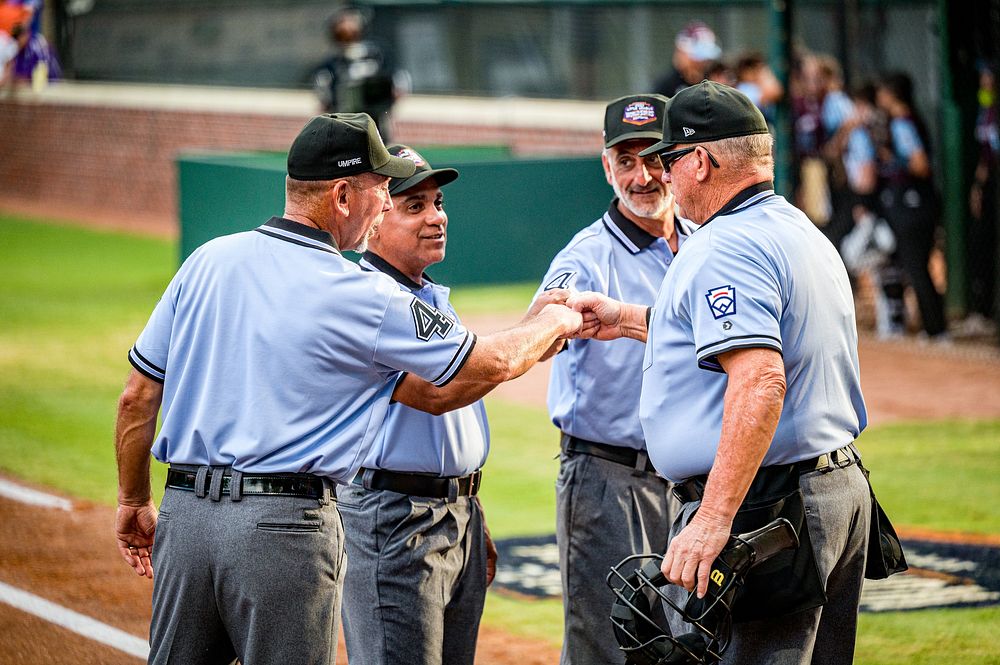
[336,145]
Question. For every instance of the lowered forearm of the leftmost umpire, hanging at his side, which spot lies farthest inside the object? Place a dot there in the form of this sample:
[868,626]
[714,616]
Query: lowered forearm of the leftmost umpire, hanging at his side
[135,429]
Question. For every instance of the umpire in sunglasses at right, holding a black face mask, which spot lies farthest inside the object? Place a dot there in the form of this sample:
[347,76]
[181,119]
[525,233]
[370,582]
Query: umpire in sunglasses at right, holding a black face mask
[755,324]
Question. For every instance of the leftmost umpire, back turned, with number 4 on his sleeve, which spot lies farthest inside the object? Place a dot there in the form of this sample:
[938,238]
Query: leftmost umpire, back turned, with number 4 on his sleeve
[275,359]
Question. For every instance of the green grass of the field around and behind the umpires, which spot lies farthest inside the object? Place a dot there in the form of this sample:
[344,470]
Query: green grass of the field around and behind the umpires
[72,302]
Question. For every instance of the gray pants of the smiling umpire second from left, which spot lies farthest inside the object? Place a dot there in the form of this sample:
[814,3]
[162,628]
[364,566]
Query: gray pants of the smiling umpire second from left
[416,578]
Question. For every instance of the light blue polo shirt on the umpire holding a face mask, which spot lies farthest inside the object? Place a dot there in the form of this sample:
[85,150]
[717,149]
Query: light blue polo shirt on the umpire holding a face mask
[758,274]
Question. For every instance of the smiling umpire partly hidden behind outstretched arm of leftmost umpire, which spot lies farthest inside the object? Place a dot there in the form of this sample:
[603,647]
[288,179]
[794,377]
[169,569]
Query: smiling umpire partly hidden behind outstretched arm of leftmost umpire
[418,550]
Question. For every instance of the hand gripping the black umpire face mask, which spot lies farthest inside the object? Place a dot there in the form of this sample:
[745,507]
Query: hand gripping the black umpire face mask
[691,553]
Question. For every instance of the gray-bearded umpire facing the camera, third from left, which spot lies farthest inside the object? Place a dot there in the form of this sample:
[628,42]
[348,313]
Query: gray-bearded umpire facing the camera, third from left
[610,502]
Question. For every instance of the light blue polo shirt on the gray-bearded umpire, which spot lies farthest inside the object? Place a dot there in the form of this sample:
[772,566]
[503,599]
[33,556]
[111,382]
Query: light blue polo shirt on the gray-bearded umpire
[594,386]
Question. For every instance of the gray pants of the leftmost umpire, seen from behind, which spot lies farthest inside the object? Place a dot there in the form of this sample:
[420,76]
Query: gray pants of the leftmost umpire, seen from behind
[257,579]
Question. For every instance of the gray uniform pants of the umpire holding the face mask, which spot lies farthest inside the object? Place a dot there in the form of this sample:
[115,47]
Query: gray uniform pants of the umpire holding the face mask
[838,511]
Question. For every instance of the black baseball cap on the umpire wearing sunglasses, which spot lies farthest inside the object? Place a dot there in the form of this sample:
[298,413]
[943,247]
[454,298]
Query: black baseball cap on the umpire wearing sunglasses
[708,111]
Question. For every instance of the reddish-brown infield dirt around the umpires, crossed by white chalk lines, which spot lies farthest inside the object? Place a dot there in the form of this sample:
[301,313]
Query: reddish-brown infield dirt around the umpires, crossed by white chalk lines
[69,558]
